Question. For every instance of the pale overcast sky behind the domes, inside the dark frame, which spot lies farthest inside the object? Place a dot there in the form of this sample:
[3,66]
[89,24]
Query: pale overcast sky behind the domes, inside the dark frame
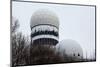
[76,22]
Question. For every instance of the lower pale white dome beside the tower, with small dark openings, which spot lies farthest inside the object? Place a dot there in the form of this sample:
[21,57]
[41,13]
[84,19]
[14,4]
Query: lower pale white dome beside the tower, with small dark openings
[71,48]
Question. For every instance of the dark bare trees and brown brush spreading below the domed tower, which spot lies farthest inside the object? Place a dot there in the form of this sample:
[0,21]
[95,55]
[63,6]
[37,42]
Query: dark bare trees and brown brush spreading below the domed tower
[23,52]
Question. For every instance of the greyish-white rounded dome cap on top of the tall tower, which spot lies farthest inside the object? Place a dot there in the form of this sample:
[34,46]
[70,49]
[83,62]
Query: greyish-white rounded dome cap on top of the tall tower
[44,16]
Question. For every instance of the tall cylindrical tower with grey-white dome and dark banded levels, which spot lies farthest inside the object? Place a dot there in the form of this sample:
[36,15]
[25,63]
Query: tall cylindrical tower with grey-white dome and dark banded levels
[44,28]
